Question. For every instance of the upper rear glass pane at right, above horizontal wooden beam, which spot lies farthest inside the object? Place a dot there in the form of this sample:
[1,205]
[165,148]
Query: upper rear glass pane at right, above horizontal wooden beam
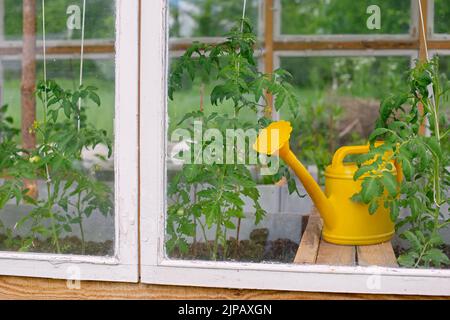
[325,17]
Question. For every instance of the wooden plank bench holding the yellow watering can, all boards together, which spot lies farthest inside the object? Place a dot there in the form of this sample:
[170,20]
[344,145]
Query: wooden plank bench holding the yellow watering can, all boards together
[314,250]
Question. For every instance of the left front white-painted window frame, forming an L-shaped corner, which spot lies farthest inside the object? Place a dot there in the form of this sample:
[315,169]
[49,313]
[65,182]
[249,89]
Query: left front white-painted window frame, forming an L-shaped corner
[123,266]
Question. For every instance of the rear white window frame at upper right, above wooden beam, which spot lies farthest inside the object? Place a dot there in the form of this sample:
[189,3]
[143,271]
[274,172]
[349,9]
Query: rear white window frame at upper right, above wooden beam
[411,35]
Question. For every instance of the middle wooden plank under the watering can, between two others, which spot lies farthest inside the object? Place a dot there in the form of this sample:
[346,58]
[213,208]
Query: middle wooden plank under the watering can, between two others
[336,255]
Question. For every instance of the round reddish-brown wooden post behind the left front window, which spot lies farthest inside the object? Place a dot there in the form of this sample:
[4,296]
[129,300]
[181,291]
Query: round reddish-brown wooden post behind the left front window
[28,73]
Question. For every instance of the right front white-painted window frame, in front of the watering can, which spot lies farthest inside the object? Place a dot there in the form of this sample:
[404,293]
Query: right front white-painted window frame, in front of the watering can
[156,268]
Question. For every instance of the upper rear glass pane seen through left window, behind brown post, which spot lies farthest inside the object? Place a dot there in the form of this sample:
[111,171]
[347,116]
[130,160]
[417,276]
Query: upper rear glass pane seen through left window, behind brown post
[64,19]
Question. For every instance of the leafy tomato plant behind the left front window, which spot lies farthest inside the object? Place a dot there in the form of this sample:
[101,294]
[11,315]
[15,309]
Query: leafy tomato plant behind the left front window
[71,192]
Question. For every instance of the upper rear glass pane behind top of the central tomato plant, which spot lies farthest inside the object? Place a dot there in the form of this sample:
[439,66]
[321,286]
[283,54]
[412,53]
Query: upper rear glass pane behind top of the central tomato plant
[208,18]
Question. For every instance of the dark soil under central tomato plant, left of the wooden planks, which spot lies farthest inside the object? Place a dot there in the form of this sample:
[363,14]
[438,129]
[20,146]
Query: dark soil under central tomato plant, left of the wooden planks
[257,249]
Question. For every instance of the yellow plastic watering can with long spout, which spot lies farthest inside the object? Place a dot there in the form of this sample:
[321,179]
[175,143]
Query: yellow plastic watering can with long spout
[345,222]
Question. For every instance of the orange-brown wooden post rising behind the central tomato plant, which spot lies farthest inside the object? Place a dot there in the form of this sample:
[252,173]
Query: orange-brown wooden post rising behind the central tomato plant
[268,46]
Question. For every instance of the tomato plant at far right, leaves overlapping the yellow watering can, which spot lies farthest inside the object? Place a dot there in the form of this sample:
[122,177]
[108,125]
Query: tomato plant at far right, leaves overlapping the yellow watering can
[424,159]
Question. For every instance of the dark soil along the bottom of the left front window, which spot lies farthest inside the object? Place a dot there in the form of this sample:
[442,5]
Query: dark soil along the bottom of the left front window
[69,245]
